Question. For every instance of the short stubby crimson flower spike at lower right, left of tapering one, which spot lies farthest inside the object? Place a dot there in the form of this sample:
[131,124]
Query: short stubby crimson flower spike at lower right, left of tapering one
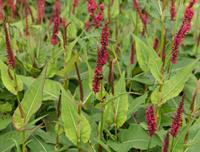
[151,120]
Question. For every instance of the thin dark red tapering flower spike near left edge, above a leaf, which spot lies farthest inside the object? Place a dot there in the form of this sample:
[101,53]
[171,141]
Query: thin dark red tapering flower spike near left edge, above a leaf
[10,55]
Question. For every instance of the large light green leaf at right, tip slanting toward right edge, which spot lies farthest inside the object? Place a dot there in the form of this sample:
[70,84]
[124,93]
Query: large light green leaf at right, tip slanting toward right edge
[172,87]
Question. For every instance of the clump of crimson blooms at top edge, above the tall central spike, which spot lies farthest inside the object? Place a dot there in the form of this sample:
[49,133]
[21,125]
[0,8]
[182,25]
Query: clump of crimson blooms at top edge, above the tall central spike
[96,13]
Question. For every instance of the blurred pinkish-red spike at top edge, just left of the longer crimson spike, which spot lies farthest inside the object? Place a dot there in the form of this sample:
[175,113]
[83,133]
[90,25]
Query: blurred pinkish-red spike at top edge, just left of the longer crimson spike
[40,10]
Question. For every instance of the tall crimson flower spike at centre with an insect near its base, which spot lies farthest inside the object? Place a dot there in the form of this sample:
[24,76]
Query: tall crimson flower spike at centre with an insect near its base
[102,58]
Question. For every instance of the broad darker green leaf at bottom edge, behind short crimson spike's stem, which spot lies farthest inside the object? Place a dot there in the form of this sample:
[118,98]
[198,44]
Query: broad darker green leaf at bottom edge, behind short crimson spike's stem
[134,137]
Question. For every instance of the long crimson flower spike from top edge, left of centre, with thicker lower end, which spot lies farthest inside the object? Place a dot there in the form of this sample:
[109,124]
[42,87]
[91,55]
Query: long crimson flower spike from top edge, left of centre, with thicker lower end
[56,22]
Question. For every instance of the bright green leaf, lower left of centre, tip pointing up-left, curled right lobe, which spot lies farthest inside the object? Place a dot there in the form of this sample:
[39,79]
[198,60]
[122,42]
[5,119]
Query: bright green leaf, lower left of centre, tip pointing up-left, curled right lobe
[73,122]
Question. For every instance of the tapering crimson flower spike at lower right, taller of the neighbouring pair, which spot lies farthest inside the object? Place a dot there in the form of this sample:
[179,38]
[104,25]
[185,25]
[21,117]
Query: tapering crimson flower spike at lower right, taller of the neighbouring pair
[177,120]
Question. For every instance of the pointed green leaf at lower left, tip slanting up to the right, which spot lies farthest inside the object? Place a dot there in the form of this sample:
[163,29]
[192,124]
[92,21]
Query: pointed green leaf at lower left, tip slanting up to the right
[30,103]
